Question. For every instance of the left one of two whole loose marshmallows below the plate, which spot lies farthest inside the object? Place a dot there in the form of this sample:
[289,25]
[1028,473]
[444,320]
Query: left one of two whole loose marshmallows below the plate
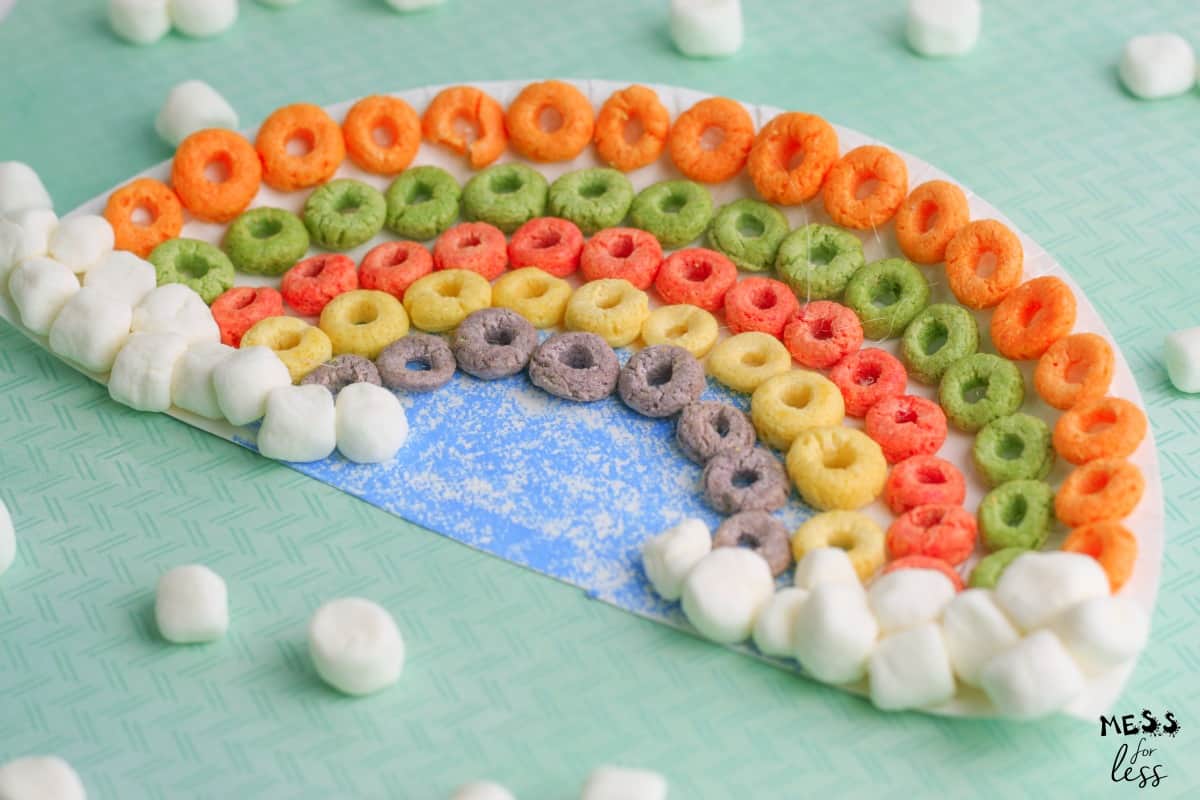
[191,605]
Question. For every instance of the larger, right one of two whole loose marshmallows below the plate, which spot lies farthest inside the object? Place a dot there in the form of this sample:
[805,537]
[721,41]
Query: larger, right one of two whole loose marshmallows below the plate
[356,646]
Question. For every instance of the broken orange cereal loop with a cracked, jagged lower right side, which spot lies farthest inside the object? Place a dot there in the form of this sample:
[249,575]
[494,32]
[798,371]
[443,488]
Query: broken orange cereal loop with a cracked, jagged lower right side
[466,105]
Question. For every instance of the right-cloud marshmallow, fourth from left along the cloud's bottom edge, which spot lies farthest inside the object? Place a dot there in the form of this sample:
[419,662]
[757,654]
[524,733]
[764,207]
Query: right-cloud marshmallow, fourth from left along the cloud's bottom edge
[836,633]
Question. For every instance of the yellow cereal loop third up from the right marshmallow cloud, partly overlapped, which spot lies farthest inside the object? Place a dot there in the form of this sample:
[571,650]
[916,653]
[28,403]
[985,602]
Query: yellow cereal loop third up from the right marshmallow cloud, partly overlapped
[796,401]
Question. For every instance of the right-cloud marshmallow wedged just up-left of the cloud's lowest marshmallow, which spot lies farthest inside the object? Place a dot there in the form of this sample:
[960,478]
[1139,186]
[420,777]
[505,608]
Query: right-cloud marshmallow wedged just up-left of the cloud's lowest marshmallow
[975,630]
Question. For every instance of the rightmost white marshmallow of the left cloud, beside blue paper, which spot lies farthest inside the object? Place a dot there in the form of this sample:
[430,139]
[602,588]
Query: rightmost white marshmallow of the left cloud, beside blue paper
[371,424]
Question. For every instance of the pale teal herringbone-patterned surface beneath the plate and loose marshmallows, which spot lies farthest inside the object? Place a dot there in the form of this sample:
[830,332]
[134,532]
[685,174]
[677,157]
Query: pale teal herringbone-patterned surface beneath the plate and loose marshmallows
[511,675]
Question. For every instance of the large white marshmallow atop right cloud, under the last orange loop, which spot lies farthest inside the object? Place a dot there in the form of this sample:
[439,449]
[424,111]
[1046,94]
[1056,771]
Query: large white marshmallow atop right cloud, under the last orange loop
[1037,587]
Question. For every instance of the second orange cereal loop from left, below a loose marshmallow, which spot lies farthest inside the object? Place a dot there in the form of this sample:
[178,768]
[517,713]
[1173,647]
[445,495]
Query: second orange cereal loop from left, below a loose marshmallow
[217,175]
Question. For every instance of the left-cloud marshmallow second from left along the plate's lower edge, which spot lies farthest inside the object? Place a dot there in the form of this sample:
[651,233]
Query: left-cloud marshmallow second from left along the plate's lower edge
[92,329]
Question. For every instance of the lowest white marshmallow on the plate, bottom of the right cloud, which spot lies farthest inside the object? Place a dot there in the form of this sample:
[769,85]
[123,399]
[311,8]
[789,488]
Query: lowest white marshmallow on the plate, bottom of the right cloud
[1033,678]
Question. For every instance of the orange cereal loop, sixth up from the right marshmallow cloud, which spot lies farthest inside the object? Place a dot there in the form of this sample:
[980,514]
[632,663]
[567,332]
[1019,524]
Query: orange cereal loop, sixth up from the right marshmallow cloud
[985,262]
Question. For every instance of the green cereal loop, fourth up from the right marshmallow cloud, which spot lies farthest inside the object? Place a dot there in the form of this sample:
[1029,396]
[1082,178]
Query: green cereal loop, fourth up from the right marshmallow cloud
[980,389]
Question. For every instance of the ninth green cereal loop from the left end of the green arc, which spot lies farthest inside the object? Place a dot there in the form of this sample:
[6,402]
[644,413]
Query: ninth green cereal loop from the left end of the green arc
[819,261]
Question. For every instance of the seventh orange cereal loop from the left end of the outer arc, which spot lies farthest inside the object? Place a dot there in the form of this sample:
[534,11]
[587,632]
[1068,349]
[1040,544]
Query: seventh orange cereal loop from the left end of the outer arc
[627,109]
